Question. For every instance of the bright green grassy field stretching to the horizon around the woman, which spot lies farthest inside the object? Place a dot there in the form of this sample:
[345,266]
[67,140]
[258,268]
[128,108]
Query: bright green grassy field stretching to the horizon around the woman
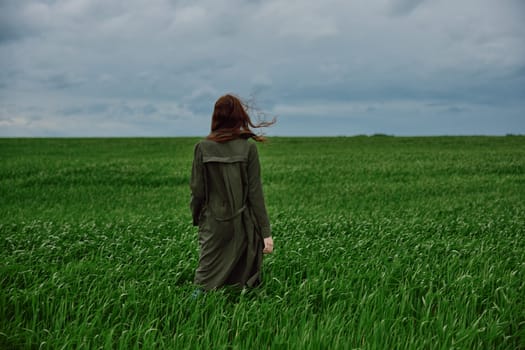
[381,243]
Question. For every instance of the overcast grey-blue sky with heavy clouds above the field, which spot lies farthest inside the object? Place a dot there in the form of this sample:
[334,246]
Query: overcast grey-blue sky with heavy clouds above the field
[331,67]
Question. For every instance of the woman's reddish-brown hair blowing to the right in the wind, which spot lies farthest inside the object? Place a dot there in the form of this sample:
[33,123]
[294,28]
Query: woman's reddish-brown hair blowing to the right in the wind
[230,121]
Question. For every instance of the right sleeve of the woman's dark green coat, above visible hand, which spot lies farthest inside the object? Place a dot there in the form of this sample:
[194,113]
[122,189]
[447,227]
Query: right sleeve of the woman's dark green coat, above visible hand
[255,192]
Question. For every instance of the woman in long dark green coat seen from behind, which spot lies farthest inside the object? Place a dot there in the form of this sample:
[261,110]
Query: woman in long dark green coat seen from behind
[227,200]
